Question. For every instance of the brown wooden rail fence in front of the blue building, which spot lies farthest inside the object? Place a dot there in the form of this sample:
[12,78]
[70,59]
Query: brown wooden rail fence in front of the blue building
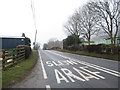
[11,57]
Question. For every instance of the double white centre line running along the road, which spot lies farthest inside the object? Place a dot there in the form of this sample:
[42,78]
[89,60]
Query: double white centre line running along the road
[112,72]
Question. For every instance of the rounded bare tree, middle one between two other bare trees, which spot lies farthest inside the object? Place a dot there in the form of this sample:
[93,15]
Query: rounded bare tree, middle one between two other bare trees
[88,22]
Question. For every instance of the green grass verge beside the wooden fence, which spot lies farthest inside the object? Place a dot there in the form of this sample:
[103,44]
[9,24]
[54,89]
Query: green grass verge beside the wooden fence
[19,71]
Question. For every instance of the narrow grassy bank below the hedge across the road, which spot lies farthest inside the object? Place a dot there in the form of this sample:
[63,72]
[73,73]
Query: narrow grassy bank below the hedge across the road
[105,56]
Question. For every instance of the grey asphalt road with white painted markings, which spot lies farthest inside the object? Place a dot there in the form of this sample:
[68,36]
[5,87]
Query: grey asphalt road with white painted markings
[64,70]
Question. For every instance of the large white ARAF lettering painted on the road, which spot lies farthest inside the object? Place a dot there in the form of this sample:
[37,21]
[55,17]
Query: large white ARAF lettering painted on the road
[83,76]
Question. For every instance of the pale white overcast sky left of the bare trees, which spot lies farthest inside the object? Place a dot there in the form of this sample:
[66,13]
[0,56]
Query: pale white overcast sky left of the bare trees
[16,18]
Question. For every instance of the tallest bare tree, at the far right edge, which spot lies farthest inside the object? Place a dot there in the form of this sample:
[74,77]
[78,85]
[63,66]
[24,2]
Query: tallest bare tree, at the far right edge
[109,13]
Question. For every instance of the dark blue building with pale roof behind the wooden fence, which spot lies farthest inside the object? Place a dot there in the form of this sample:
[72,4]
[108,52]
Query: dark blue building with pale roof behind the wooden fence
[11,42]
